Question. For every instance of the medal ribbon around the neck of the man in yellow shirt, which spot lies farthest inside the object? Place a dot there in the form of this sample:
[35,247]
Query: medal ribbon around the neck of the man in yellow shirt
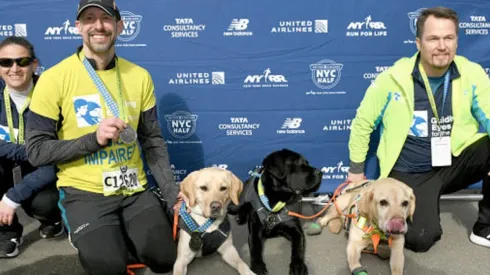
[103,90]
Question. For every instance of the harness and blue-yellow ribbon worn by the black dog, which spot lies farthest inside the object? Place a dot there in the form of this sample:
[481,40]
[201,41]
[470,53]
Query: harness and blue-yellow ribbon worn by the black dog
[269,216]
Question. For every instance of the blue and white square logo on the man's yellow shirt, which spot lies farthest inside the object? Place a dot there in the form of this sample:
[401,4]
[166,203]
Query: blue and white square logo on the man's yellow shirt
[88,110]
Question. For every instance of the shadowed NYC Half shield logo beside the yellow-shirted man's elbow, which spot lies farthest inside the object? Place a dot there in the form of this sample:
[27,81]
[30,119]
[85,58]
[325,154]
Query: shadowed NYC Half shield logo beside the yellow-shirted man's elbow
[181,124]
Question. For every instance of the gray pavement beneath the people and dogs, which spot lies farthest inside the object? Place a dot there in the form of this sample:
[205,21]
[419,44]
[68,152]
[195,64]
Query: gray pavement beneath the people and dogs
[325,254]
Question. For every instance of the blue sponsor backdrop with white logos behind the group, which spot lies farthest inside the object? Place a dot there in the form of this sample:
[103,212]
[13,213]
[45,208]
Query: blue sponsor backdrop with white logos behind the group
[236,80]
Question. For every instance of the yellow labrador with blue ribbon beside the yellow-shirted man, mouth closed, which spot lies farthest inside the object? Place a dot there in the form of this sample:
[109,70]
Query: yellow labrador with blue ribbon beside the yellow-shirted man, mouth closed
[206,229]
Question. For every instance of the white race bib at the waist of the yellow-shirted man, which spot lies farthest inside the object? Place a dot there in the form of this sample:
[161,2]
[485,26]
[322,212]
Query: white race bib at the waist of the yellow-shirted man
[124,179]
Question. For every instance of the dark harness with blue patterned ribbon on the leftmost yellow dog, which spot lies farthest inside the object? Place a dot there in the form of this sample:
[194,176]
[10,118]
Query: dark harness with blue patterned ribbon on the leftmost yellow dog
[211,241]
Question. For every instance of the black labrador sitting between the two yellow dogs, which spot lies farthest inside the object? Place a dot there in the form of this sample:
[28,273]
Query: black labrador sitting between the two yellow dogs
[274,189]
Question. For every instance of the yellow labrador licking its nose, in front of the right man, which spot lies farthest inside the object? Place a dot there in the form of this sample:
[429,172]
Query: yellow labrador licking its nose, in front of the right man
[384,206]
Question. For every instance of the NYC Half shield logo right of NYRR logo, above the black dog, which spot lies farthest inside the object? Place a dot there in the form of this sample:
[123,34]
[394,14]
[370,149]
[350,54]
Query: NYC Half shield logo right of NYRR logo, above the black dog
[326,73]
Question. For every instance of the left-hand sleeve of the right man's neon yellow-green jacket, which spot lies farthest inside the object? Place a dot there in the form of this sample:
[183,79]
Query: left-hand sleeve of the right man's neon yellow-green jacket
[368,116]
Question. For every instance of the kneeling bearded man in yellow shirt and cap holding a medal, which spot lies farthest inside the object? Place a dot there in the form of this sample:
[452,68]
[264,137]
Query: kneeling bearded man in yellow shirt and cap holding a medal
[92,113]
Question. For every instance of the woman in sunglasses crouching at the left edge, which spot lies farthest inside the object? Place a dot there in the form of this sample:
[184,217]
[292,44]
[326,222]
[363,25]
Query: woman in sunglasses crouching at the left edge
[21,184]
